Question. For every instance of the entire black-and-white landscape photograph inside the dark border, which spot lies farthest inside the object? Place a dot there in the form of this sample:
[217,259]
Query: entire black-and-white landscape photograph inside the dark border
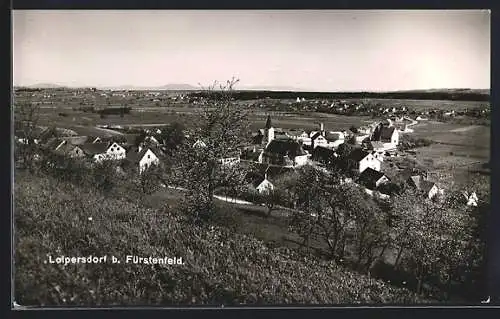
[230,158]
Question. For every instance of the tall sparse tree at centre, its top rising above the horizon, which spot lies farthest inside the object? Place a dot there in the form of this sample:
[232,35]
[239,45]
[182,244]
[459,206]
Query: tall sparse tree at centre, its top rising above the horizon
[220,126]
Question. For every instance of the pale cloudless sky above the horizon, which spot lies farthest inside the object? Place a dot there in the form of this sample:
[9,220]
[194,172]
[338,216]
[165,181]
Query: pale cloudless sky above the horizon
[314,50]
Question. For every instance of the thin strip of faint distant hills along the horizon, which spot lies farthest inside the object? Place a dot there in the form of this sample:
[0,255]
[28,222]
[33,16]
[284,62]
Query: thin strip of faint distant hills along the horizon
[189,87]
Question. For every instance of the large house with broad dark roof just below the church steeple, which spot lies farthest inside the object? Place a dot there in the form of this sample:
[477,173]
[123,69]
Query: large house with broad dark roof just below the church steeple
[285,153]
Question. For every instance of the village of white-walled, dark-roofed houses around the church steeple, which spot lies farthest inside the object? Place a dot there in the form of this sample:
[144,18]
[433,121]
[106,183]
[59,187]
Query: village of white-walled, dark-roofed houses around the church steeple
[361,154]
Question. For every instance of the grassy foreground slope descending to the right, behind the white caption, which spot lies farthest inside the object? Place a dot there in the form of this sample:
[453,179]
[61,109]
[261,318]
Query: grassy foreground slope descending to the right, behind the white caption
[56,218]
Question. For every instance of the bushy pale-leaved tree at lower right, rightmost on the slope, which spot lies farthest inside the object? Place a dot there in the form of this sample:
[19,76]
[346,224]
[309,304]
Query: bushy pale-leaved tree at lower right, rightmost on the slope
[434,236]
